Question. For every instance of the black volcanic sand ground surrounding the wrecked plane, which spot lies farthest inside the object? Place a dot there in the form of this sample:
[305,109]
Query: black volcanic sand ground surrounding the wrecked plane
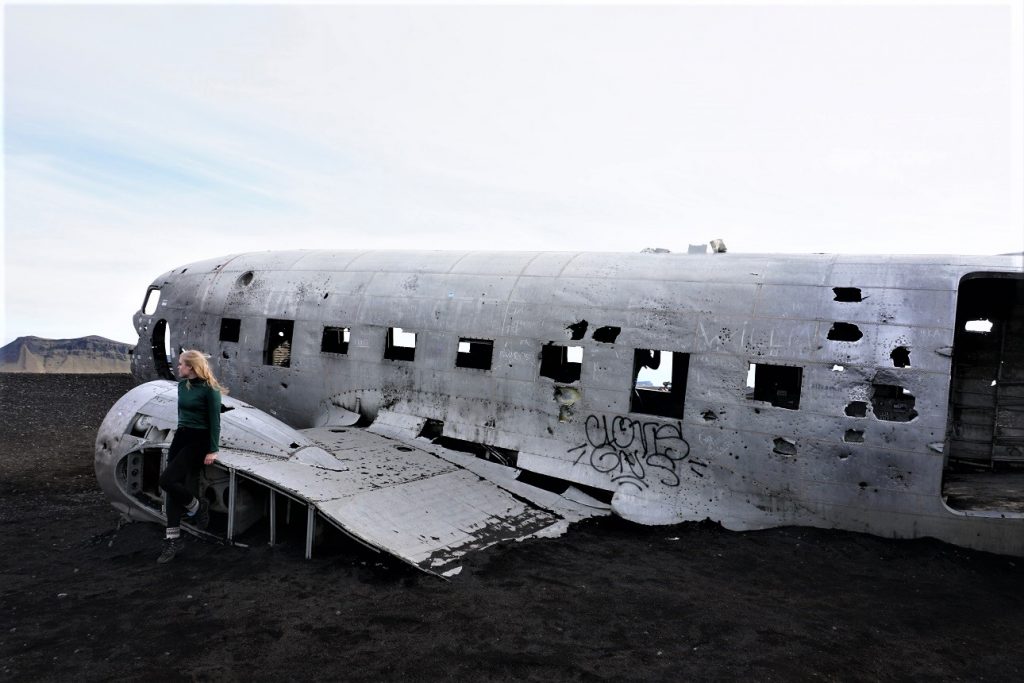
[83,599]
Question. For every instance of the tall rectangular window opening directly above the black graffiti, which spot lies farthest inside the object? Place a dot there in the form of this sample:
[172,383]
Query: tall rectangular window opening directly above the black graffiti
[660,382]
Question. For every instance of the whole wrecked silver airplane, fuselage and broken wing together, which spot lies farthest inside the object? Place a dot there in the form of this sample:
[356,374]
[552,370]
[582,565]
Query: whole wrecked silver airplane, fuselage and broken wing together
[432,404]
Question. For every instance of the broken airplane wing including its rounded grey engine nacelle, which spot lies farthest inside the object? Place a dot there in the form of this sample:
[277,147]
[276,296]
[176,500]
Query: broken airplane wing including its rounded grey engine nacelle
[385,486]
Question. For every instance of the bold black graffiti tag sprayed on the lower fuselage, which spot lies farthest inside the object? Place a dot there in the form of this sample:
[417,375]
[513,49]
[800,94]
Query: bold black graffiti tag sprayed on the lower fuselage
[631,451]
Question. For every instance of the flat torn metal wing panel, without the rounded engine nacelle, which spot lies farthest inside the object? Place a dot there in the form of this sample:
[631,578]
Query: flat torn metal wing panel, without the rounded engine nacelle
[402,499]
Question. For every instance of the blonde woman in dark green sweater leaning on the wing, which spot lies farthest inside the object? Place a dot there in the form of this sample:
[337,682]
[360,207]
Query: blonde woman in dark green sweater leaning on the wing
[196,444]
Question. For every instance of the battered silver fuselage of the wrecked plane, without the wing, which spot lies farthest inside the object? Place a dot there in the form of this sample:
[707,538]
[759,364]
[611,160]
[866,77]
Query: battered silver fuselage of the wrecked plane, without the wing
[861,354]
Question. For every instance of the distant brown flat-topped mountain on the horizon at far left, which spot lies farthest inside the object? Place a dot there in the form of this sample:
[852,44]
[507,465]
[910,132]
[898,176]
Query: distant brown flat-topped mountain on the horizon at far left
[83,356]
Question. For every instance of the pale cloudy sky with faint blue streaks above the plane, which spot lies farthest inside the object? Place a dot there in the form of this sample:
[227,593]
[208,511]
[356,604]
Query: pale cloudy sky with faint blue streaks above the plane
[140,139]
